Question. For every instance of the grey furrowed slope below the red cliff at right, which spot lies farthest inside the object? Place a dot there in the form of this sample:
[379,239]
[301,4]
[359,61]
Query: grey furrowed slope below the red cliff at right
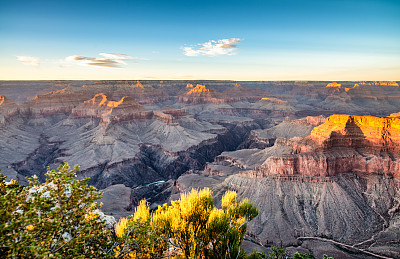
[357,211]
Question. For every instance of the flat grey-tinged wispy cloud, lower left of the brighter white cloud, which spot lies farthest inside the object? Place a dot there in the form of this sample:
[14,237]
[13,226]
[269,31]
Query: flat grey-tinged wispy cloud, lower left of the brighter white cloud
[109,60]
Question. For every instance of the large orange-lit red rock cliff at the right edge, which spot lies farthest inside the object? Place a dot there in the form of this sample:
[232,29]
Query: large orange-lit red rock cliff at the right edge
[343,144]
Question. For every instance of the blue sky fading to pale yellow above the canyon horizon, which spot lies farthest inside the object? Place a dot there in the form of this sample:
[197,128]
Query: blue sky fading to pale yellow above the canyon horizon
[188,39]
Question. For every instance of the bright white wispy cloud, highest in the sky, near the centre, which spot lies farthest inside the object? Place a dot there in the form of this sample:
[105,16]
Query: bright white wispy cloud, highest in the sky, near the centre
[213,48]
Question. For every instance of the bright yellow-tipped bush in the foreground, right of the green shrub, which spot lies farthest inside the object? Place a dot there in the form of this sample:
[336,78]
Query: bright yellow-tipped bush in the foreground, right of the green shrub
[194,227]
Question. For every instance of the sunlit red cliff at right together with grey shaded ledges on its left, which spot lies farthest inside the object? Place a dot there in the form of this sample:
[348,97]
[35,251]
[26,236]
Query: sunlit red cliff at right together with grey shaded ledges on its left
[315,147]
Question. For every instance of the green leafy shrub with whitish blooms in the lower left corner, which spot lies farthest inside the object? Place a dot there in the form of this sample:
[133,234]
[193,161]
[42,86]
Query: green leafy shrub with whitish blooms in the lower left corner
[58,218]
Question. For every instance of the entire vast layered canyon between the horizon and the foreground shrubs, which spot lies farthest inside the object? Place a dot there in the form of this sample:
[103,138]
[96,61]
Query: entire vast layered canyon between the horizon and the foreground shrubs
[319,159]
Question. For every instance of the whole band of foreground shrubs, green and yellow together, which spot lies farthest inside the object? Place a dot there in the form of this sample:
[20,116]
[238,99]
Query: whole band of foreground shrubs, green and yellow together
[61,219]
